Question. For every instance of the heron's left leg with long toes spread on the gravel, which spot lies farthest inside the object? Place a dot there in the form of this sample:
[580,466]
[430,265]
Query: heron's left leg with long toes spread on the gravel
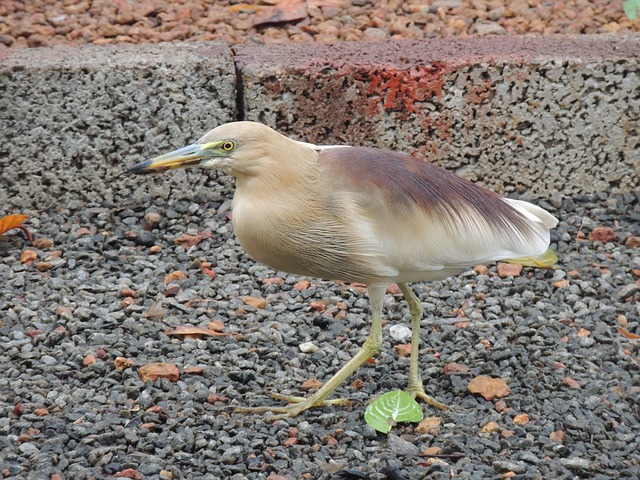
[370,347]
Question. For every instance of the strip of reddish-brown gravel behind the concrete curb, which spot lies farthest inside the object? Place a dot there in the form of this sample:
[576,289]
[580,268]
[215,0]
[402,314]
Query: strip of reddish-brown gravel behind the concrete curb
[39,23]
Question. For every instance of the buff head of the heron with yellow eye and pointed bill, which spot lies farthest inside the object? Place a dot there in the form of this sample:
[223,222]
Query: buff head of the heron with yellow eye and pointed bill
[237,148]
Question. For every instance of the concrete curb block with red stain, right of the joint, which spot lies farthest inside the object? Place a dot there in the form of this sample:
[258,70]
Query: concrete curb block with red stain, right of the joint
[533,115]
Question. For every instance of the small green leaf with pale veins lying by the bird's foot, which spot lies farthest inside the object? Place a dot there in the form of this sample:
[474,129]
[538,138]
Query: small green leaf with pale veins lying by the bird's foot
[395,406]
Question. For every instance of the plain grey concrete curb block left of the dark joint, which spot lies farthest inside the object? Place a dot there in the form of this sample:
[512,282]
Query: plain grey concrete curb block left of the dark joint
[74,118]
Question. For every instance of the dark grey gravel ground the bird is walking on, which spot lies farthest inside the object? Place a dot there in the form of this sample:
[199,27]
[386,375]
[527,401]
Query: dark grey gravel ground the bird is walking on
[69,412]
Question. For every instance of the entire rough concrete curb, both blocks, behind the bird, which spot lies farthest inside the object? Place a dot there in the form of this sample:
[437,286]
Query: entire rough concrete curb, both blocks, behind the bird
[540,116]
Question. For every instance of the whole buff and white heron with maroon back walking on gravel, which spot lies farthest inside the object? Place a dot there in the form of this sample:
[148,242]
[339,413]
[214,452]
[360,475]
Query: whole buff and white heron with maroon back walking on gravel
[358,214]
